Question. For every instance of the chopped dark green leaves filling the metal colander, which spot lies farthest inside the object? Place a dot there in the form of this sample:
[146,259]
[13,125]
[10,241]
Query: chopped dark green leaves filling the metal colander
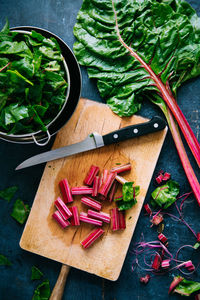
[33,81]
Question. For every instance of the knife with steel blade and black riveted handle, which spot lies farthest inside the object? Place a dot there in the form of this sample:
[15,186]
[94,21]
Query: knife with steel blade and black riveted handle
[96,140]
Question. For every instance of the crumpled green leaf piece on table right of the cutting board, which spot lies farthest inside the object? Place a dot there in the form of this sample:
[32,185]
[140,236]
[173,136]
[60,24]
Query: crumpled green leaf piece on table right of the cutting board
[166,194]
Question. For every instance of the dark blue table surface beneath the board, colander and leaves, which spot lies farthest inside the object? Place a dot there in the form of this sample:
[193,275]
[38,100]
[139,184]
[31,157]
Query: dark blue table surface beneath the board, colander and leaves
[59,16]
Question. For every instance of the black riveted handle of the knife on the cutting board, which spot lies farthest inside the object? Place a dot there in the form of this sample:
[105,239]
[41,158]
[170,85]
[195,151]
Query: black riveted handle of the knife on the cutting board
[154,125]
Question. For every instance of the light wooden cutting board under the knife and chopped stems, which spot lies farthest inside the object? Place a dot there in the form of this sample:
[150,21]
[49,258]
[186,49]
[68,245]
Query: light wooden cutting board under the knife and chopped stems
[43,236]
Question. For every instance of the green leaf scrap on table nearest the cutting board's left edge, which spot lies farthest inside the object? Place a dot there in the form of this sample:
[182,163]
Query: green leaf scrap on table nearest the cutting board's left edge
[20,211]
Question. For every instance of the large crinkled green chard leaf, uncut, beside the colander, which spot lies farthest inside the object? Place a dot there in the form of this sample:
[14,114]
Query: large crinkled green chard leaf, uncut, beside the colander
[112,36]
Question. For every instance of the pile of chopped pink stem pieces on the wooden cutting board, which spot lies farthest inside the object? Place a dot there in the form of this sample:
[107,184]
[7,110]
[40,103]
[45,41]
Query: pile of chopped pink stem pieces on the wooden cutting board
[96,190]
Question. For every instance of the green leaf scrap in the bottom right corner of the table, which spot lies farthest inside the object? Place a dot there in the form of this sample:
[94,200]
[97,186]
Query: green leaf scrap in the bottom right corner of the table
[186,287]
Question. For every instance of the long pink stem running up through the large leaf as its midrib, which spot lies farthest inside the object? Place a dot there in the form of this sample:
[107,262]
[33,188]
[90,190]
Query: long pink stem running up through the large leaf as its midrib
[166,95]
